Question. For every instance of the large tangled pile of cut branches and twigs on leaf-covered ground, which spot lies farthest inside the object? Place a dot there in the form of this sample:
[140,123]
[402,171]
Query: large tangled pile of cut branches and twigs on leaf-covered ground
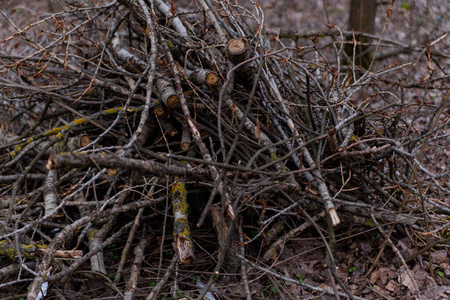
[139,126]
